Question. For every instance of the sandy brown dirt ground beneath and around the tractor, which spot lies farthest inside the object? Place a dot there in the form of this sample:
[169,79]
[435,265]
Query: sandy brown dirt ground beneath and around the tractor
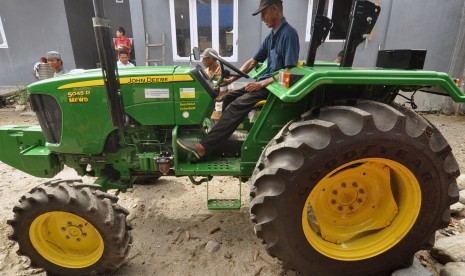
[172,224]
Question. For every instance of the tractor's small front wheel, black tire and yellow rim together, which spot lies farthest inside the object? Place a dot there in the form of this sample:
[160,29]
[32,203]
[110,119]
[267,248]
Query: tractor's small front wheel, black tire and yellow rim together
[71,229]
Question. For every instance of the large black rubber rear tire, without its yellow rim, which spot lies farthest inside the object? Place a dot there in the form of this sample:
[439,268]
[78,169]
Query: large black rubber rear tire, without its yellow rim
[309,148]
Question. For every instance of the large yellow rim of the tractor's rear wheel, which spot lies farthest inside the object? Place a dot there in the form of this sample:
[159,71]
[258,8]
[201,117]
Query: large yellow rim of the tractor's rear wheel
[361,209]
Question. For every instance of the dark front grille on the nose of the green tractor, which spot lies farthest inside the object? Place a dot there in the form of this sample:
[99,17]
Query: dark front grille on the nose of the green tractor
[49,115]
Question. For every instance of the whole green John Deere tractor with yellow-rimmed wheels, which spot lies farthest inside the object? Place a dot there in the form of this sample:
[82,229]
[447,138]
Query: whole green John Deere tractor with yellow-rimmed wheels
[344,180]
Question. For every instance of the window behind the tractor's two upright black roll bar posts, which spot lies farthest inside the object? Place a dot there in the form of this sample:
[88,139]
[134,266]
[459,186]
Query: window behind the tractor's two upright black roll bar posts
[338,11]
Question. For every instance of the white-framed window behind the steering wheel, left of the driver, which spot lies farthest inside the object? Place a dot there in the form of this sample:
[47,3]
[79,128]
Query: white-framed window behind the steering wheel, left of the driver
[204,24]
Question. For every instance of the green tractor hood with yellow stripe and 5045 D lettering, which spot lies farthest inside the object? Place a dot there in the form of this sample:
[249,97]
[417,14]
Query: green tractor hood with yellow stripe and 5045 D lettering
[74,110]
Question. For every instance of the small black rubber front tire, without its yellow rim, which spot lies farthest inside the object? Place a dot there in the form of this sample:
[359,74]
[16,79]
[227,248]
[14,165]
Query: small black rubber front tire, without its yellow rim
[84,201]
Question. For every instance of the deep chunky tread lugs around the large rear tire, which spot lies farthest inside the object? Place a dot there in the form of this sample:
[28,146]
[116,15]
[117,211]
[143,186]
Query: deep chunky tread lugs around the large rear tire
[341,122]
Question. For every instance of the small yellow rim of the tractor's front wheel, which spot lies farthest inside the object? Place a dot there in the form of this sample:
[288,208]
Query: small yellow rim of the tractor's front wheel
[66,240]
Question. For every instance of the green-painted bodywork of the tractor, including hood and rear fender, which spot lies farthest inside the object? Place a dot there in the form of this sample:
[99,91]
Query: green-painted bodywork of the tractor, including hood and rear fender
[163,103]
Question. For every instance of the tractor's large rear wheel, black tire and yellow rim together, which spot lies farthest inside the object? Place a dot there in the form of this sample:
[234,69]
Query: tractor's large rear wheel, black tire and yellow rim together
[353,190]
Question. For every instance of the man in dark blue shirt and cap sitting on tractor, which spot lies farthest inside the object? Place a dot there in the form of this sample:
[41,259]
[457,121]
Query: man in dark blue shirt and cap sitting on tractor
[281,49]
